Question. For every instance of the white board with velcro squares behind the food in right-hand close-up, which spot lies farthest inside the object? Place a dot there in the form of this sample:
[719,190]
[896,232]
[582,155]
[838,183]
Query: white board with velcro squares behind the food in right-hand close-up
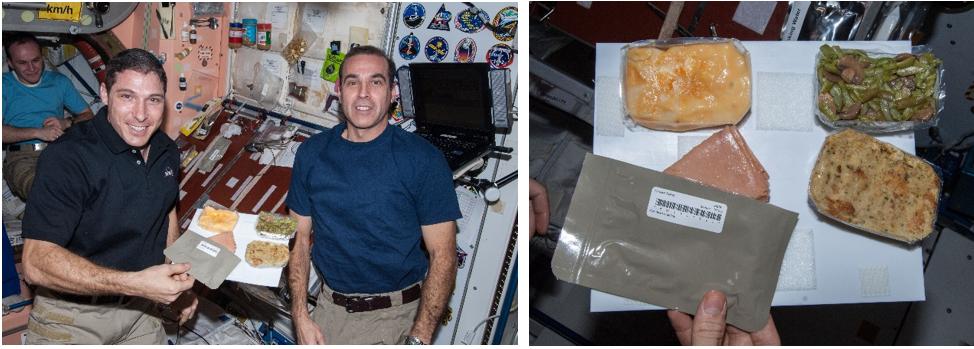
[786,136]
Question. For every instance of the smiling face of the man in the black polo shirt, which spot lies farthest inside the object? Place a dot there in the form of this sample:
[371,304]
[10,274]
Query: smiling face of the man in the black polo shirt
[135,107]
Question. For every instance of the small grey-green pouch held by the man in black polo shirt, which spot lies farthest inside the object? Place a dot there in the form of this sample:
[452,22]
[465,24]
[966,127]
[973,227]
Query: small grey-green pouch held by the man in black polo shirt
[209,262]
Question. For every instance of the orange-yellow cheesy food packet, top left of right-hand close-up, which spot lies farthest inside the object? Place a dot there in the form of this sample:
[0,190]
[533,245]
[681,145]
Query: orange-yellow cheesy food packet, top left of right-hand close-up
[688,86]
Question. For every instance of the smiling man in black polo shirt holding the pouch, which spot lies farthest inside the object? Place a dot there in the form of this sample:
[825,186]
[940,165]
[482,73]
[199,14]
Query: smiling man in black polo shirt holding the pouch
[102,209]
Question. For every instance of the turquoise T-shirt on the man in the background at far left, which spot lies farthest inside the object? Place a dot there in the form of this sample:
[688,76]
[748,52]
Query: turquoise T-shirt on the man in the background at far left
[27,107]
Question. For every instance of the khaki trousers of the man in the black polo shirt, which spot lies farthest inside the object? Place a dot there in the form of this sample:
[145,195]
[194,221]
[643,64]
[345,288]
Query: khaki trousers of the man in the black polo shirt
[56,321]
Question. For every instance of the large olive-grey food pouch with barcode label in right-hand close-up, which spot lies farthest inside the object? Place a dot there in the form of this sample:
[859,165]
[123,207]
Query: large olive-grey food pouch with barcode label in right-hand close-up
[667,241]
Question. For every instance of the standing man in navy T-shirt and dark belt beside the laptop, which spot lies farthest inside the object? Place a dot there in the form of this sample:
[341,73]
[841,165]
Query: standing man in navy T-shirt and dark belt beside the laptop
[371,193]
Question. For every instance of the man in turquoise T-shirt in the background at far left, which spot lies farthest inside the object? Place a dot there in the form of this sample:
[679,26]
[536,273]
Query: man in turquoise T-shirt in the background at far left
[33,107]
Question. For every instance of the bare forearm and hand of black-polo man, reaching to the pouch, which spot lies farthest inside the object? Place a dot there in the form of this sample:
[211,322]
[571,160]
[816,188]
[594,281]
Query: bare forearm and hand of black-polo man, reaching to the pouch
[54,267]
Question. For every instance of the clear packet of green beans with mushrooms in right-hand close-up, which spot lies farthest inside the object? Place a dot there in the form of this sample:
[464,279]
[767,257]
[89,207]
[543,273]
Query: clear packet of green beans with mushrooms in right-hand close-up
[878,92]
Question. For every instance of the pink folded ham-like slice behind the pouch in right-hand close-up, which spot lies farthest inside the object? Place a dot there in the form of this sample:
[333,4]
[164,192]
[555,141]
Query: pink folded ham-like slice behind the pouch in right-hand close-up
[725,162]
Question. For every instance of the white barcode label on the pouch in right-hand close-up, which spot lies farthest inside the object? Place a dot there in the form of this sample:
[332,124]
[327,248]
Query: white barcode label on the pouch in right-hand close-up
[686,210]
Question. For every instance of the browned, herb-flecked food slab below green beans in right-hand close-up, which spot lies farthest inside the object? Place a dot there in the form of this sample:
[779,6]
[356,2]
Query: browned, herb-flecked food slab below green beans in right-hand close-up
[875,186]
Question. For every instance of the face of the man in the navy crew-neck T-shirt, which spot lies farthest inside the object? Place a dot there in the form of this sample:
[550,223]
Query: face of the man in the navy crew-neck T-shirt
[366,94]
